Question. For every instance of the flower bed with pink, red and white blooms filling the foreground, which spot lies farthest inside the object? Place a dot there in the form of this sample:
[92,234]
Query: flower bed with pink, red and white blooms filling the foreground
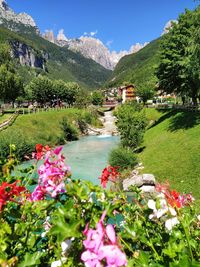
[49,226]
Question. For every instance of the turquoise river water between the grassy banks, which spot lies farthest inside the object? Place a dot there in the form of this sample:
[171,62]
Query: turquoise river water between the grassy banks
[88,156]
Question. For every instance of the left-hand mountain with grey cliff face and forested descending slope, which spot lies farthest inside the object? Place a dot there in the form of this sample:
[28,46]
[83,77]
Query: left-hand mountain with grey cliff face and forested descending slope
[37,55]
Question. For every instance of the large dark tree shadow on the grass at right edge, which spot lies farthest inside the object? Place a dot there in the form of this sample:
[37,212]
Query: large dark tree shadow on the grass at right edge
[184,120]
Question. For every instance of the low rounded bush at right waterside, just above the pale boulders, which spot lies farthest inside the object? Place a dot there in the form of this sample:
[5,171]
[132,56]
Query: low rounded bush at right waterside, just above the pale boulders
[122,157]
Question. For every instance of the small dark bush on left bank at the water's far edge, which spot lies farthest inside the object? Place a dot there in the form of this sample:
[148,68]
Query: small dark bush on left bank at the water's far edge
[69,130]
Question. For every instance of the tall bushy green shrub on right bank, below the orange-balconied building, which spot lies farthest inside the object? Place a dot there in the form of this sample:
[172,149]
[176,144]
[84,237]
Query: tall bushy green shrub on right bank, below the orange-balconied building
[131,124]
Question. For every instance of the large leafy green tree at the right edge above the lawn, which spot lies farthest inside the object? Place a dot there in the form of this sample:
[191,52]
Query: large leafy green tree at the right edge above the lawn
[179,70]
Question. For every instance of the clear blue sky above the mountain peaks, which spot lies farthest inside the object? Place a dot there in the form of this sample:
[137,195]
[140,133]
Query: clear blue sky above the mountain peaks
[120,23]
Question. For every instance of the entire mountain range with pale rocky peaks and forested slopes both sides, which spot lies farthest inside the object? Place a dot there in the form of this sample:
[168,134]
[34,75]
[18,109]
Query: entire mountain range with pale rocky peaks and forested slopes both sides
[85,60]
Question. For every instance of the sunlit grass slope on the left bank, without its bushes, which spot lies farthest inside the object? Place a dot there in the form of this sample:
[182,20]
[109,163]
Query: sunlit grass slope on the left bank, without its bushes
[44,127]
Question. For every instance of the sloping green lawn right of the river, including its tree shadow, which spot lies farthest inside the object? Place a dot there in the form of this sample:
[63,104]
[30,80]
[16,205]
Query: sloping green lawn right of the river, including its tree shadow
[172,149]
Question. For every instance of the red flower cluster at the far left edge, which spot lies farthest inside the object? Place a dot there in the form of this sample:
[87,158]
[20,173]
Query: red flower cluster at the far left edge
[8,192]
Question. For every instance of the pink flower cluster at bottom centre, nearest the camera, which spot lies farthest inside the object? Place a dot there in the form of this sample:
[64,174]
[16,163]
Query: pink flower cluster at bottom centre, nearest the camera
[101,245]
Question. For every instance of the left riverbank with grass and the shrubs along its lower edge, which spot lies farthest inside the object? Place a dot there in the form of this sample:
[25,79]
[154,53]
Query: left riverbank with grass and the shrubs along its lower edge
[44,128]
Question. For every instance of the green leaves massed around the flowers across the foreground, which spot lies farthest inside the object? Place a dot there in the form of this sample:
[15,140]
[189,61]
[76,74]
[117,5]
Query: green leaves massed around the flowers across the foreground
[32,232]
